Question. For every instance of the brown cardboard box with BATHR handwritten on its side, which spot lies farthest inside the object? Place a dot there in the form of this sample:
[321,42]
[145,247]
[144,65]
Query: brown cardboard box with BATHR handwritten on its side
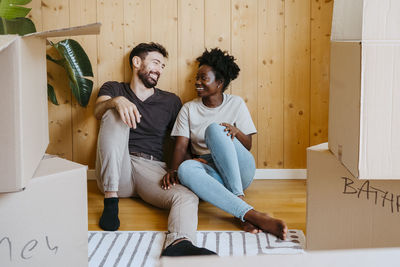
[344,212]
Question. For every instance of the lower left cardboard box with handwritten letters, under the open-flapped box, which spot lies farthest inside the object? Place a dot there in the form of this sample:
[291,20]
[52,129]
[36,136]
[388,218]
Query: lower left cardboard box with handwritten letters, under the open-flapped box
[46,224]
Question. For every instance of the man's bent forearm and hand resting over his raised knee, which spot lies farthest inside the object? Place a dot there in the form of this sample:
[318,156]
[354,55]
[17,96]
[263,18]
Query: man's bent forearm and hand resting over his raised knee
[127,110]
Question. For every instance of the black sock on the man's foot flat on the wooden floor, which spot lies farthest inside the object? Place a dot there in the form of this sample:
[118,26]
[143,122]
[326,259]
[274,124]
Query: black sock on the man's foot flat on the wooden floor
[109,220]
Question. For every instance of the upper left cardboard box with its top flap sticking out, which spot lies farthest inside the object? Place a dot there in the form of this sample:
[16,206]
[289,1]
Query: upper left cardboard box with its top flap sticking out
[24,134]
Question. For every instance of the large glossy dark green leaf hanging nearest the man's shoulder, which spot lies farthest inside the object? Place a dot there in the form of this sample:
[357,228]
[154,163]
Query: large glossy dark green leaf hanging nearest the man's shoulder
[77,64]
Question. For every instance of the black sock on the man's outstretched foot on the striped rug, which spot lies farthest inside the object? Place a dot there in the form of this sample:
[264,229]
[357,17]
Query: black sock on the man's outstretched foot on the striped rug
[185,248]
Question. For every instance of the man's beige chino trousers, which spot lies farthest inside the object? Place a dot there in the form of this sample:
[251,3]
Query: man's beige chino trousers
[131,176]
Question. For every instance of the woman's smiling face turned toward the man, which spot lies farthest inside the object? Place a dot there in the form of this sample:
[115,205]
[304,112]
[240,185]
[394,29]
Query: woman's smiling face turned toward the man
[206,82]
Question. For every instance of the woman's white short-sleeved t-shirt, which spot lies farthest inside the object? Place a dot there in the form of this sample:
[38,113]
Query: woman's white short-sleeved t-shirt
[194,118]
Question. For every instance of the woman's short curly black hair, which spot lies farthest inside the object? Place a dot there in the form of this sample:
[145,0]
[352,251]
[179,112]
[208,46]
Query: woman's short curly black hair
[222,63]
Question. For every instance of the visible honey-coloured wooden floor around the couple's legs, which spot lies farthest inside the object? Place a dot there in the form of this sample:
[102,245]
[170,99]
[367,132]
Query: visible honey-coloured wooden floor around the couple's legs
[284,199]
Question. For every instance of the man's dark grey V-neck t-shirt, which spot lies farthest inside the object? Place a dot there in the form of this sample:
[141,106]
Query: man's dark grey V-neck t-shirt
[158,112]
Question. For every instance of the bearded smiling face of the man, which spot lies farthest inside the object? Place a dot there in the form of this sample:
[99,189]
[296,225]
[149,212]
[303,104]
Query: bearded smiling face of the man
[151,68]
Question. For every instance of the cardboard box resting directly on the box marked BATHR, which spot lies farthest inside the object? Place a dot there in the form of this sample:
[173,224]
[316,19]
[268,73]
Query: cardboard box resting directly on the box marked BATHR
[364,108]
